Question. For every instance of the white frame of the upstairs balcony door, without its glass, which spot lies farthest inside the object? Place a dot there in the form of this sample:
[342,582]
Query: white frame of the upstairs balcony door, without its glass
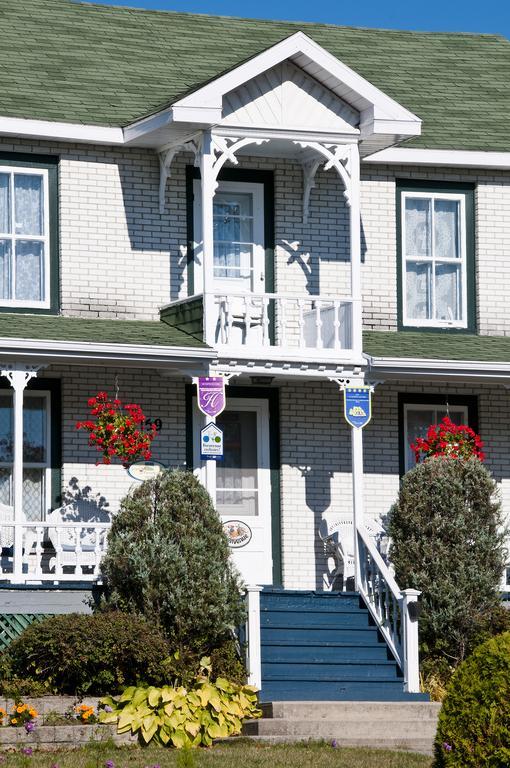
[237,285]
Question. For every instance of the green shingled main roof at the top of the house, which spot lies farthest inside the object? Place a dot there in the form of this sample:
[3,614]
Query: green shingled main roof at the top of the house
[61,60]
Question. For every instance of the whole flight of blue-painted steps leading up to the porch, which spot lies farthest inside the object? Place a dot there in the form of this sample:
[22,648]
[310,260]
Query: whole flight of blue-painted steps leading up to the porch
[324,646]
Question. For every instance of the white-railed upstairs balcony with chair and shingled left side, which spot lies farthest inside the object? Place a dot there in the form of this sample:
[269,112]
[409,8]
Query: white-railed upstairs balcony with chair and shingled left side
[271,326]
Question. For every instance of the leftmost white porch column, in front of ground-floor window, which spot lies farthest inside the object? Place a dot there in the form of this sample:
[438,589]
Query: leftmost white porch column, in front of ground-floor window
[18,375]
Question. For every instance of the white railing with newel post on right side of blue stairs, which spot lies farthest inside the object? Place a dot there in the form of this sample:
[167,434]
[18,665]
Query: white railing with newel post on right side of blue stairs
[394,611]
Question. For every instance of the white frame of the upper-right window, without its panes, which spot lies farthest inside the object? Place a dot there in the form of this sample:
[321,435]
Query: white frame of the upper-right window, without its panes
[433,196]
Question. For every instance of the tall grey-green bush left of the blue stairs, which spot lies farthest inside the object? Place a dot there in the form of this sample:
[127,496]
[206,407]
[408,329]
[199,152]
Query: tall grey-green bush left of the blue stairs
[169,560]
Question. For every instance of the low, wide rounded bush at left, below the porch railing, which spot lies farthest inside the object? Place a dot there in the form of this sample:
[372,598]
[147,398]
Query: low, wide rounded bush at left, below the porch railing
[93,654]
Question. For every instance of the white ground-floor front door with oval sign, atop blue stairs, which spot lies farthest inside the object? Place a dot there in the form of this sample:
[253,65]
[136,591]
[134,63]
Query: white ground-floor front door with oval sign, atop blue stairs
[243,485]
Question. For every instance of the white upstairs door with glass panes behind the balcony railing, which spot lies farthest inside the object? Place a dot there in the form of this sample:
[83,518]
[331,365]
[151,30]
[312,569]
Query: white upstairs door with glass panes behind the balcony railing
[238,223]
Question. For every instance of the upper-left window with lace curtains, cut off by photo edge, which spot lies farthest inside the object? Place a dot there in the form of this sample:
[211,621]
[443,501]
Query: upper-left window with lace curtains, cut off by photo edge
[27,236]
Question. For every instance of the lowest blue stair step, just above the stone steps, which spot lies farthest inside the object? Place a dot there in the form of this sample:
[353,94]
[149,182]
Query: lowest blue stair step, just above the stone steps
[347,690]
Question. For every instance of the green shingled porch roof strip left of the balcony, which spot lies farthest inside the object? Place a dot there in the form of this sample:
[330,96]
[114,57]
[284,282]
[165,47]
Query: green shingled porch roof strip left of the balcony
[58,328]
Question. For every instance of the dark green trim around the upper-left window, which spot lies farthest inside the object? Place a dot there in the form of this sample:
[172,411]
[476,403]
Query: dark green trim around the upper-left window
[49,163]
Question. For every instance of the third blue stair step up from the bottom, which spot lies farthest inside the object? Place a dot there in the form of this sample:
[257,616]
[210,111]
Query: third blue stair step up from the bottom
[333,654]
